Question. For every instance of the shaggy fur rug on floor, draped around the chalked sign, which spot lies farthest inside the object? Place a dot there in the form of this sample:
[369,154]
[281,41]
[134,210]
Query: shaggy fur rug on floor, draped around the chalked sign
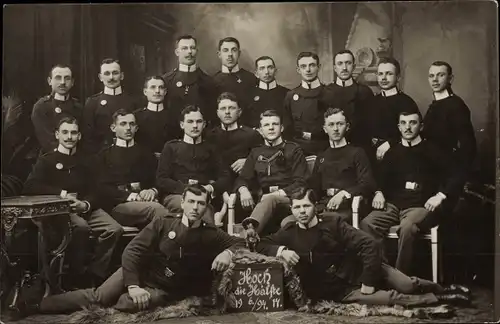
[222,299]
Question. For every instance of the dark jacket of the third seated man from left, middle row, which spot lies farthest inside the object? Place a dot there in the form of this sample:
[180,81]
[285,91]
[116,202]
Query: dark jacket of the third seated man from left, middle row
[183,163]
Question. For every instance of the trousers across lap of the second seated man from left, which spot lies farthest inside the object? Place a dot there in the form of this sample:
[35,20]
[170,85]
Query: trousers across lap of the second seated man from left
[138,213]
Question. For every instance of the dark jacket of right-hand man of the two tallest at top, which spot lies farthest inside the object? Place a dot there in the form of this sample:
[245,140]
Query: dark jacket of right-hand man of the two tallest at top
[239,83]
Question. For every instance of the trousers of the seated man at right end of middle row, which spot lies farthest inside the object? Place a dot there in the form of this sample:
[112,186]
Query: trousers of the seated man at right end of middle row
[379,222]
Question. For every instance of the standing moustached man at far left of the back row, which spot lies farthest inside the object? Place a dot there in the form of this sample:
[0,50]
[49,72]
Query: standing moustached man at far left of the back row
[48,110]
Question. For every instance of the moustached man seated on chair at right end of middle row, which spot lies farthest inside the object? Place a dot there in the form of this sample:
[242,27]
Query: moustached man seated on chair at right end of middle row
[414,184]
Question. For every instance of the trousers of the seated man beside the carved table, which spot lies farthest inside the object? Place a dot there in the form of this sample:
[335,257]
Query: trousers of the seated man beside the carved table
[105,229]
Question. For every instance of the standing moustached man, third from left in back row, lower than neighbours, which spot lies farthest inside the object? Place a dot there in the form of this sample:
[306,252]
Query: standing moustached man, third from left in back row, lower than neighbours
[153,120]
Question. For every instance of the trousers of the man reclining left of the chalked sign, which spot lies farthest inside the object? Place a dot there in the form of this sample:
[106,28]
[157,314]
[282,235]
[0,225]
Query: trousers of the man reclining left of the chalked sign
[110,293]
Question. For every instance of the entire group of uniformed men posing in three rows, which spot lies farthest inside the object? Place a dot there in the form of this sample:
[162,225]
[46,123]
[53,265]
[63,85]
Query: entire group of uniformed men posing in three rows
[166,165]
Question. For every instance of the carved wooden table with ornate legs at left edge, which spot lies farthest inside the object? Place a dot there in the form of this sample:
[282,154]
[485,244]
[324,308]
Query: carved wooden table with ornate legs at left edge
[45,212]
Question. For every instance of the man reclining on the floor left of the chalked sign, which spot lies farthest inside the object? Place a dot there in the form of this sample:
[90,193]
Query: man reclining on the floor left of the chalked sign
[170,259]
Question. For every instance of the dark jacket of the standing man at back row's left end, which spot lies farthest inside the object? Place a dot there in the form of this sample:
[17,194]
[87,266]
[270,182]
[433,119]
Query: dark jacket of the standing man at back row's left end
[46,114]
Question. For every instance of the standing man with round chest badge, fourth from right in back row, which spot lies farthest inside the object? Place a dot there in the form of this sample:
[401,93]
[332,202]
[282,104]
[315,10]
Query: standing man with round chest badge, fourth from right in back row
[304,107]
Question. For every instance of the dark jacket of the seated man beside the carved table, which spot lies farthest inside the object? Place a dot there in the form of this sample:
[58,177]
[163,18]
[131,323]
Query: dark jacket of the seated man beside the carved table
[55,172]
